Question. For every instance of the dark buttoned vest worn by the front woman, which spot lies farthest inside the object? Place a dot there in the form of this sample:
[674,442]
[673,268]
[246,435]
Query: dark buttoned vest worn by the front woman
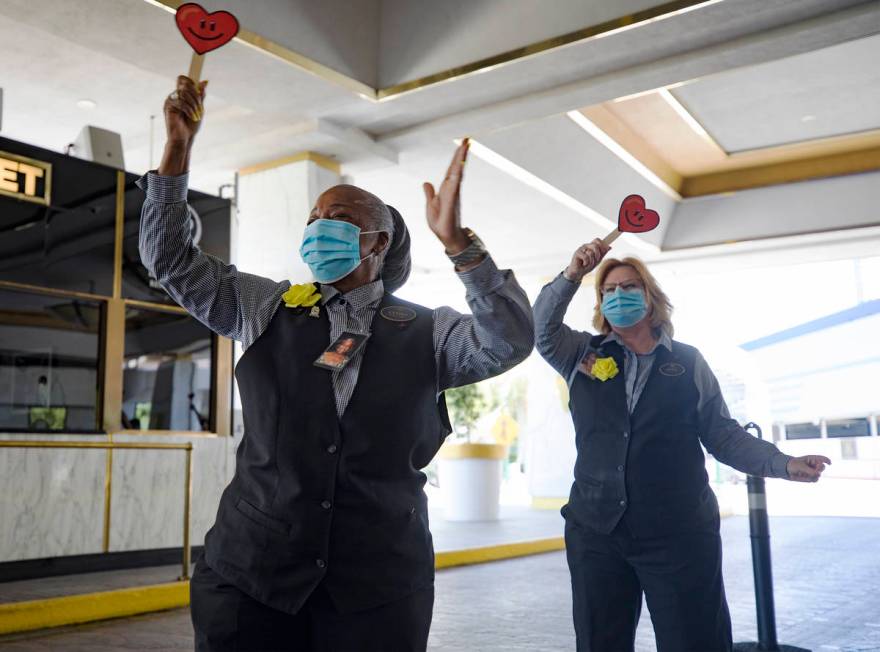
[320,499]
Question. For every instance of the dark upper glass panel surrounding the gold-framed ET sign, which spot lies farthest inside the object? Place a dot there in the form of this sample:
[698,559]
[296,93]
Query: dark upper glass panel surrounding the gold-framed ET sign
[67,245]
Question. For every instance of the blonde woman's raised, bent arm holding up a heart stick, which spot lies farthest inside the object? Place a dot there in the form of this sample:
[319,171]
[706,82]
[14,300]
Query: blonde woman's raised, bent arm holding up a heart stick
[561,346]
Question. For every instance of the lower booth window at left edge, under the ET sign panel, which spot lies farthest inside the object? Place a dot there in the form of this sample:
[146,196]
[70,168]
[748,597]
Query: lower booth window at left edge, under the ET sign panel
[49,362]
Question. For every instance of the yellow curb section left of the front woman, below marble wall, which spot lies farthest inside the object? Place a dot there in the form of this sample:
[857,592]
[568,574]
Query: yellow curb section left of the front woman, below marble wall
[88,607]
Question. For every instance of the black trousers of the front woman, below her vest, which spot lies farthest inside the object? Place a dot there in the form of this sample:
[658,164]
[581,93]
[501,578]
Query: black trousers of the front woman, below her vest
[226,620]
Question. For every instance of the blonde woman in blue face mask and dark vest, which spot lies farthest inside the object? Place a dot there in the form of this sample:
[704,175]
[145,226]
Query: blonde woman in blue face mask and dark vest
[641,517]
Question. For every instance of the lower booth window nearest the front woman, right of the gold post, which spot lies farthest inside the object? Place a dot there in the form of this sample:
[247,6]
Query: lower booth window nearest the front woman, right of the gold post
[167,373]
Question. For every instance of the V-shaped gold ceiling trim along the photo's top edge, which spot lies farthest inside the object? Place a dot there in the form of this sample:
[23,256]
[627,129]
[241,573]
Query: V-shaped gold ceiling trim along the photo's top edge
[606,28]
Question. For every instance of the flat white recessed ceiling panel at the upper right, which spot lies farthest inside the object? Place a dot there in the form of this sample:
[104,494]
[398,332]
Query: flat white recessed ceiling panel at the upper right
[826,92]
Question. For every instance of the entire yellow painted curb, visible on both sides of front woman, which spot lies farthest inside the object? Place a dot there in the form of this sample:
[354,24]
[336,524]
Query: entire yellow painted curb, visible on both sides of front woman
[89,607]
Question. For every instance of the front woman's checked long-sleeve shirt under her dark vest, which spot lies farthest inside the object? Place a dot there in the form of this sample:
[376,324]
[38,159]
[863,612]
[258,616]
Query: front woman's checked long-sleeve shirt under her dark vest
[468,348]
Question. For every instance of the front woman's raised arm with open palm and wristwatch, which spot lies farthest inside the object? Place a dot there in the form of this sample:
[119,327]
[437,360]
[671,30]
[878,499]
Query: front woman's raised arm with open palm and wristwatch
[500,332]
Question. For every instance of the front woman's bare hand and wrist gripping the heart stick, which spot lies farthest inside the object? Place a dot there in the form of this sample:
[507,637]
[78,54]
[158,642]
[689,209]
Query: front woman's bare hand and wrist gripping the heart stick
[183,116]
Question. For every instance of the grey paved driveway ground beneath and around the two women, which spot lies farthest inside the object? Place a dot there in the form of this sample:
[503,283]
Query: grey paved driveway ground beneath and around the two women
[826,573]
